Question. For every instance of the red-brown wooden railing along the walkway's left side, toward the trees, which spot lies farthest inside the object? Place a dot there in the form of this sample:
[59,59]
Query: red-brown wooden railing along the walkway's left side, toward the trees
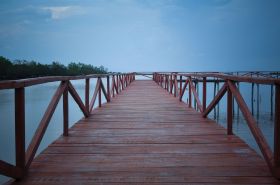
[25,157]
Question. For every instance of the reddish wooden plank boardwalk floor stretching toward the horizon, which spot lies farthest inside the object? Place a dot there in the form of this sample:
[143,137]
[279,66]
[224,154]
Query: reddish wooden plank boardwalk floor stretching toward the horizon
[146,136]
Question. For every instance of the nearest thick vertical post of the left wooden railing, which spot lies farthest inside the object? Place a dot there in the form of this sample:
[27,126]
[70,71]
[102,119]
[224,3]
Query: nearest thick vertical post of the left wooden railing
[20,127]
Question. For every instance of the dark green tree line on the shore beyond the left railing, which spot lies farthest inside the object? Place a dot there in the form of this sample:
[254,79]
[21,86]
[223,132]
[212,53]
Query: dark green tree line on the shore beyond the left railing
[18,69]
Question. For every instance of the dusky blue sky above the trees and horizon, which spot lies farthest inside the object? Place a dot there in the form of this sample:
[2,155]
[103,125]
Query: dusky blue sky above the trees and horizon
[144,35]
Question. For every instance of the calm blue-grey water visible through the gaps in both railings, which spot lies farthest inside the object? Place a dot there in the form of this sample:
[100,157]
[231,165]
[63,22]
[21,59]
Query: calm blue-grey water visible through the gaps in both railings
[38,97]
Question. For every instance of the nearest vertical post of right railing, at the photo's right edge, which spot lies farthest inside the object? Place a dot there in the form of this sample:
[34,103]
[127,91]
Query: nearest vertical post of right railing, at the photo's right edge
[277,127]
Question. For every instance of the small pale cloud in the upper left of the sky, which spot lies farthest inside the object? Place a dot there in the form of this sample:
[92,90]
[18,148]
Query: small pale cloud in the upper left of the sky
[61,12]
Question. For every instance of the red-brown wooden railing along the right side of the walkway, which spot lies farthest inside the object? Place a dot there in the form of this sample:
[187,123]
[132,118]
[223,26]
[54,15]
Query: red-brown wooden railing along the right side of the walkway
[170,82]
